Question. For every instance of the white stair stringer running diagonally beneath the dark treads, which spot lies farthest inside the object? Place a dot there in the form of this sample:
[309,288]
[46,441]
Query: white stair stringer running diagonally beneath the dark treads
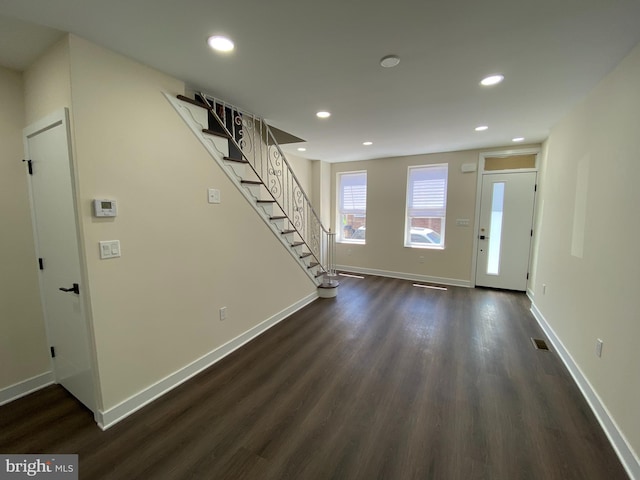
[197,120]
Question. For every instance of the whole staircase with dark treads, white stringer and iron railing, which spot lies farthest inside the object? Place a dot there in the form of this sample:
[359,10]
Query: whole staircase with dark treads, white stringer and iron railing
[247,151]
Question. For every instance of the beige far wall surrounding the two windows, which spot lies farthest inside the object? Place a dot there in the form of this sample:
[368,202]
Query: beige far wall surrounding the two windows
[386,203]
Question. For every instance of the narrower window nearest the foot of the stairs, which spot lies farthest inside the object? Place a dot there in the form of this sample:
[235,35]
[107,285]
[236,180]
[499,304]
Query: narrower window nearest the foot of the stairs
[352,206]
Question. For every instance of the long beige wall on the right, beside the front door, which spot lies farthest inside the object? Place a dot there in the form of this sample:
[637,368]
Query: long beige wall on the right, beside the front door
[590,263]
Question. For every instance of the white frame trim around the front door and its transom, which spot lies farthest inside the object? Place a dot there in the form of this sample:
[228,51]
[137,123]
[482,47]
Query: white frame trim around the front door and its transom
[481,173]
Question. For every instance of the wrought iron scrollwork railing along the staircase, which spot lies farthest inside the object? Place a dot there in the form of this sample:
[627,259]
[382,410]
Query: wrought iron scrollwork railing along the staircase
[253,143]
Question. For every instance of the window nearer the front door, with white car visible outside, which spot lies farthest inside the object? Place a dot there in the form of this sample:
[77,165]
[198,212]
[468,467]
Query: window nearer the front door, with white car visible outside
[426,206]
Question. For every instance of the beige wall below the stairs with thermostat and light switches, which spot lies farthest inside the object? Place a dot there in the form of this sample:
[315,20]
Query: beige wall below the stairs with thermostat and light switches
[156,309]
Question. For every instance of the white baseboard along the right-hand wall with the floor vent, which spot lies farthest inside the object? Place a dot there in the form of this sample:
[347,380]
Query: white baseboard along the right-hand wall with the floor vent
[627,456]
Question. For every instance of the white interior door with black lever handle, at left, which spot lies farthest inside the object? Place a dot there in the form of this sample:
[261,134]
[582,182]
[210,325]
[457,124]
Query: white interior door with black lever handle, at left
[47,146]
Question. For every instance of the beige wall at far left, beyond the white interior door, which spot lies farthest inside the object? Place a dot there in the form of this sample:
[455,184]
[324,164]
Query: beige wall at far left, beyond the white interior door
[23,344]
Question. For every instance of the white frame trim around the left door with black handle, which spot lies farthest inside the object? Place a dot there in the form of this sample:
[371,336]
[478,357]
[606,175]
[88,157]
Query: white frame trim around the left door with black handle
[54,119]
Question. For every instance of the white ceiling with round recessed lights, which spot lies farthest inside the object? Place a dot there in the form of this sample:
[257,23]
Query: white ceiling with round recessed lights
[296,57]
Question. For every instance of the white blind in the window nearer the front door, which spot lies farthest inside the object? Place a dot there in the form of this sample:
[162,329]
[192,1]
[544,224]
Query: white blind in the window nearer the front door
[427,192]
